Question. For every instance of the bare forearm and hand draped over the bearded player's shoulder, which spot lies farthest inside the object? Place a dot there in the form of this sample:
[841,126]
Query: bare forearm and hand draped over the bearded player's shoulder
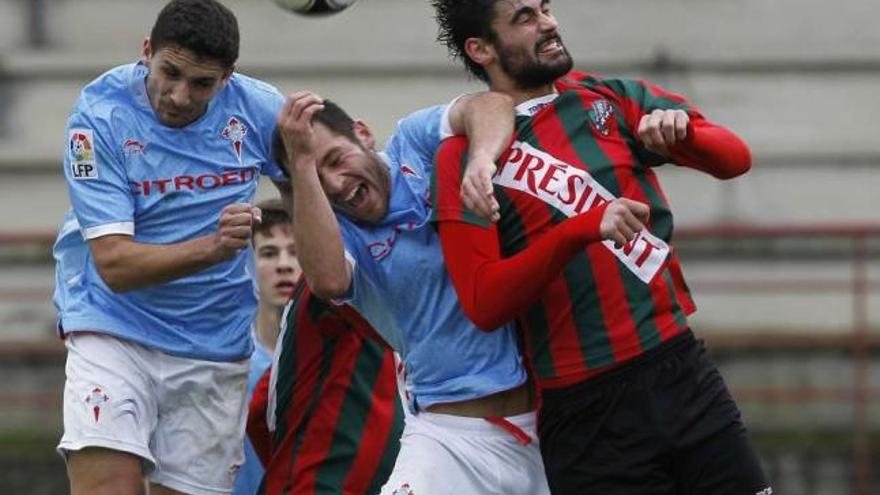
[487,120]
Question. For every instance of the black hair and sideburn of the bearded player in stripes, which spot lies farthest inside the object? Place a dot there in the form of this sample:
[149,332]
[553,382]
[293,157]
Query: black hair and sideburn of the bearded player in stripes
[459,20]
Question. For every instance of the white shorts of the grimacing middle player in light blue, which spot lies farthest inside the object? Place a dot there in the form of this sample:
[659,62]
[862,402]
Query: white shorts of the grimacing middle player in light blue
[441,454]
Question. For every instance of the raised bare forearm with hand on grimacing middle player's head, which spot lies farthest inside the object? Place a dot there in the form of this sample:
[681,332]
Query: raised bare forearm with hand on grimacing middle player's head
[318,238]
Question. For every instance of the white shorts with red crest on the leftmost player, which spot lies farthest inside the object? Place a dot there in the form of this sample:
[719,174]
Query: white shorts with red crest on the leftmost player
[184,417]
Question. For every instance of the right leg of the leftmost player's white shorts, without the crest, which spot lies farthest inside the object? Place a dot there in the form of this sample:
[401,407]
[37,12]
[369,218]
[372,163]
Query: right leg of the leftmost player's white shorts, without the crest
[199,438]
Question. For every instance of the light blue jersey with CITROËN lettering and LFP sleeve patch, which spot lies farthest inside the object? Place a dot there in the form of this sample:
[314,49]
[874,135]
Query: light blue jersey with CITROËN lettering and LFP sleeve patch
[128,174]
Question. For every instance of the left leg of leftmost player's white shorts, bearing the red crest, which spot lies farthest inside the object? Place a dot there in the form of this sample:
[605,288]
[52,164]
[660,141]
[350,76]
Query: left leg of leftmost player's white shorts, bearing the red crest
[109,399]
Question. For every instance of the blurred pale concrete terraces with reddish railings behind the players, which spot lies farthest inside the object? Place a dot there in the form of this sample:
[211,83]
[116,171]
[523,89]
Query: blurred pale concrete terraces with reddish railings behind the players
[784,263]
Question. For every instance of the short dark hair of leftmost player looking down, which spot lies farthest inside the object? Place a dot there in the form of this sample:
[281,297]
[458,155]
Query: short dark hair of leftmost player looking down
[205,27]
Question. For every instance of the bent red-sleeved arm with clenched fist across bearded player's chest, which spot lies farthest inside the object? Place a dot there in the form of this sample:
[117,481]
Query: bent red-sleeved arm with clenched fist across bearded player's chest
[493,290]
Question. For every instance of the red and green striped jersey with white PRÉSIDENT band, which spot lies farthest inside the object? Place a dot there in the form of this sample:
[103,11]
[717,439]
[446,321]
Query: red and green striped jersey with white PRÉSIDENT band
[569,155]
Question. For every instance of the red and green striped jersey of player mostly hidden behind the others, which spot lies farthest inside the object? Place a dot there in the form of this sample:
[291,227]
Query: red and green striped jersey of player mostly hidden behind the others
[338,413]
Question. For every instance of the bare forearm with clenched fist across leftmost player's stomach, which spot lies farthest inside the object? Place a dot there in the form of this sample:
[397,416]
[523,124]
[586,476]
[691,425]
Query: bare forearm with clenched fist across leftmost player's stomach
[125,264]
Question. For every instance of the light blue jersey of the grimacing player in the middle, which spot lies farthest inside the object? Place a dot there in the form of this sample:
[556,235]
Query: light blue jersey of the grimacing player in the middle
[401,286]
